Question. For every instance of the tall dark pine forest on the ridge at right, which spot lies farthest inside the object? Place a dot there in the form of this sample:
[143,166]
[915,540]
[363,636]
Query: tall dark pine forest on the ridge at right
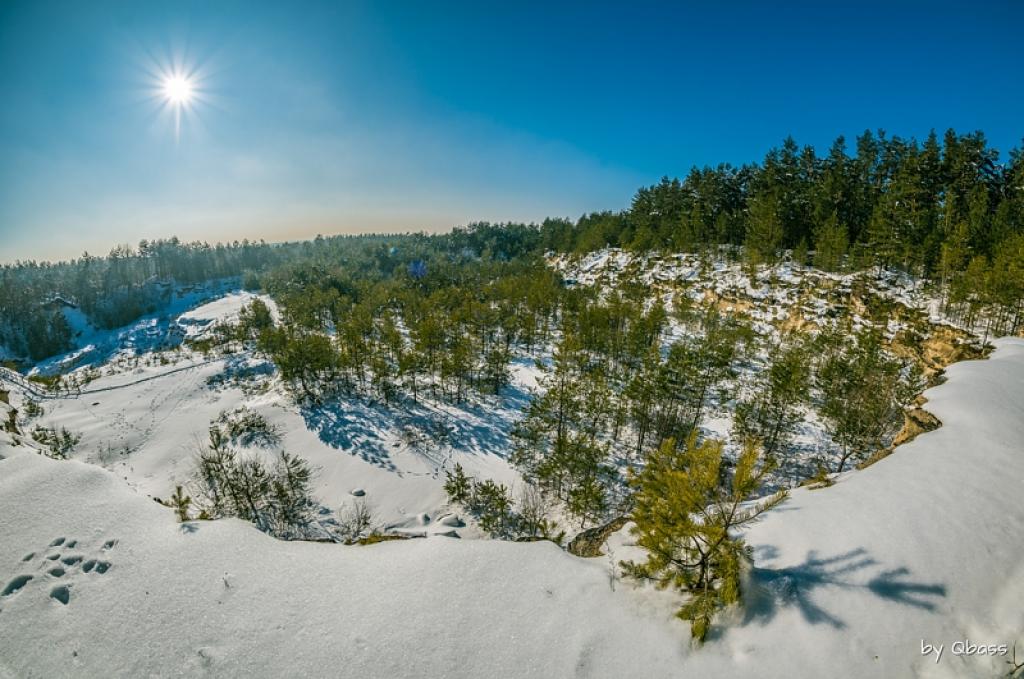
[891,202]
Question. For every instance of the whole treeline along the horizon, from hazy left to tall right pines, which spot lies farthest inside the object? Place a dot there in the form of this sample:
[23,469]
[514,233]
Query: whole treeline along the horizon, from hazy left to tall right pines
[945,209]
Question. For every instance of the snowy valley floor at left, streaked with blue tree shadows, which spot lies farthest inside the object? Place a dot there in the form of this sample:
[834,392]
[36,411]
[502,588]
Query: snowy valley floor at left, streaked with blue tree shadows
[145,415]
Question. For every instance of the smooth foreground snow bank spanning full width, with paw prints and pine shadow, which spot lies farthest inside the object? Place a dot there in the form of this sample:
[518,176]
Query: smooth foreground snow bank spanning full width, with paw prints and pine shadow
[925,545]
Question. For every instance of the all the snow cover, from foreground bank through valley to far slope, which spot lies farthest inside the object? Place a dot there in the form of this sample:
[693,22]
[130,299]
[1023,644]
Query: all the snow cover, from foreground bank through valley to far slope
[849,576]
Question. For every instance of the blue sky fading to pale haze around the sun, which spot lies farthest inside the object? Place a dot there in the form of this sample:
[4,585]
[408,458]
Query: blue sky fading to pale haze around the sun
[327,118]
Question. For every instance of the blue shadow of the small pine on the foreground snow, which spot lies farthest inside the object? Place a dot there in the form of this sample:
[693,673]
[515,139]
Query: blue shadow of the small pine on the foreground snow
[775,589]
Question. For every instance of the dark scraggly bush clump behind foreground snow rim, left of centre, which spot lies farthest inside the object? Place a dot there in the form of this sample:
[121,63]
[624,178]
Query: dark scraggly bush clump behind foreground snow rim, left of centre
[278,499]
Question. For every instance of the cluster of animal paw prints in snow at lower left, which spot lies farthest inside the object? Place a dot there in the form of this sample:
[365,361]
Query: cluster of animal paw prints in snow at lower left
[61,569]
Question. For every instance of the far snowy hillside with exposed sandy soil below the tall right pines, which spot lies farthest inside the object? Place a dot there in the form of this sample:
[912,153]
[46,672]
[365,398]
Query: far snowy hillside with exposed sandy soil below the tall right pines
[777,302]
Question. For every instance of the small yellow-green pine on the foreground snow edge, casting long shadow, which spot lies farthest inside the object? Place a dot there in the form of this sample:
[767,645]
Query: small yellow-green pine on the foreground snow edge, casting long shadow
[687,513]
